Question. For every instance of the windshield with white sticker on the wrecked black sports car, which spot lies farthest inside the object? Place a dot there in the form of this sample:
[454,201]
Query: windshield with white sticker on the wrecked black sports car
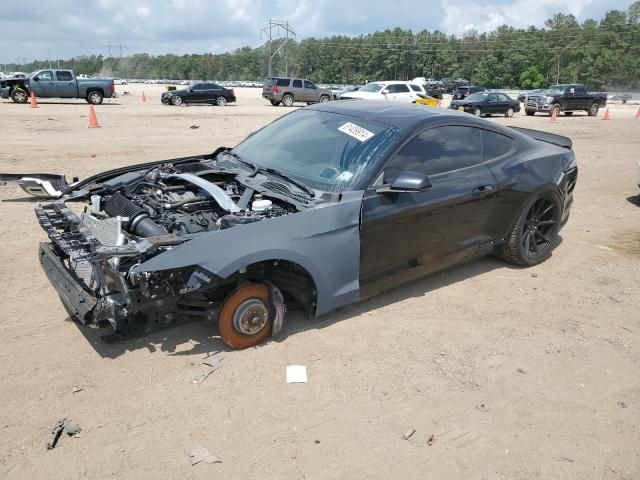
[326,151]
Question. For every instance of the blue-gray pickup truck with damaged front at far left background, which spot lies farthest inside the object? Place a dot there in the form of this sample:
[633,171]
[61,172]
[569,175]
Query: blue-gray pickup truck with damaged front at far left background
[59,84]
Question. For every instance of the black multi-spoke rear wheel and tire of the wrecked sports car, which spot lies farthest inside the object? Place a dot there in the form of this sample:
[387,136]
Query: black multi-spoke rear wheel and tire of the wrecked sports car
[534,234]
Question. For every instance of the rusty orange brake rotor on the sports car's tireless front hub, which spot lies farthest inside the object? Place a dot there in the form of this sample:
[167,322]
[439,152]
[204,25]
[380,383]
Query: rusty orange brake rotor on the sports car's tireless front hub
[246,317]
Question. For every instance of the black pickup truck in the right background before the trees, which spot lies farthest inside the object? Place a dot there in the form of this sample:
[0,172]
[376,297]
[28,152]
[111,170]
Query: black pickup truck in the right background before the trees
[564,98]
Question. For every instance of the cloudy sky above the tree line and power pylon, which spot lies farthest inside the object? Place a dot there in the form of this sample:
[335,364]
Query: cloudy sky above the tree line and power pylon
[65,28]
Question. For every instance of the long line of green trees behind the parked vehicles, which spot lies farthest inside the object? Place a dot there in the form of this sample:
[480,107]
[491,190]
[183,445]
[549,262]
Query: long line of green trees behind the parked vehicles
[602,54]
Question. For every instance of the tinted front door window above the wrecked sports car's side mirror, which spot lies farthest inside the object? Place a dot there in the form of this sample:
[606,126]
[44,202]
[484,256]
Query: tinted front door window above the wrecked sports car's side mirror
[437,150]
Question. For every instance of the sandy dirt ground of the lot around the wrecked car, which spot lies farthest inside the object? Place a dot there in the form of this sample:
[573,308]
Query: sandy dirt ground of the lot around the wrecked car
[513,373]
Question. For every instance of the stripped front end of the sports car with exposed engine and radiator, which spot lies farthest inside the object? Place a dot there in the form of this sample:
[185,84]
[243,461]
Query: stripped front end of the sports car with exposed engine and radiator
[124,220]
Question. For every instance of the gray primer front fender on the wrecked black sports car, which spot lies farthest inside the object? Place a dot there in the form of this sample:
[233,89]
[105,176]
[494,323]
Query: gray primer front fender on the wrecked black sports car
[324,240]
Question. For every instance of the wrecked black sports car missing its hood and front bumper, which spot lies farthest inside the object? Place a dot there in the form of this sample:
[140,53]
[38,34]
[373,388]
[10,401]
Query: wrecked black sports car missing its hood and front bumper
[324,207]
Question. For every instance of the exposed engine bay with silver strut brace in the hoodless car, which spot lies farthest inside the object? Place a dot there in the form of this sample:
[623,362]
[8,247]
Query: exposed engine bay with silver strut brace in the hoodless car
[168,201]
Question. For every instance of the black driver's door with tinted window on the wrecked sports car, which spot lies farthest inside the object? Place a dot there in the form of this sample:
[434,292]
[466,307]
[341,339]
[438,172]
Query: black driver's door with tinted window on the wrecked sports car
[405,235]
